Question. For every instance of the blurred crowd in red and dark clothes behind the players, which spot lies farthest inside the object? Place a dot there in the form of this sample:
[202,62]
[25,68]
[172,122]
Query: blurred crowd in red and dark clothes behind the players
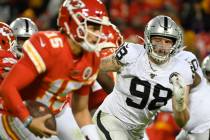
[130,16]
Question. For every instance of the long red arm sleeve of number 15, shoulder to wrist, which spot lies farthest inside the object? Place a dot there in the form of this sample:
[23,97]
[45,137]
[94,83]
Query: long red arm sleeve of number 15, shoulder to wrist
[21,75]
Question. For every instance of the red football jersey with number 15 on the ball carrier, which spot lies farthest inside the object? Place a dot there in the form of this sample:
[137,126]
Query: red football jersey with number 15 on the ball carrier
[48,71]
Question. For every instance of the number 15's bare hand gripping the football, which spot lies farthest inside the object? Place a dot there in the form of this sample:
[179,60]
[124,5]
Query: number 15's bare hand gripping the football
[38,128]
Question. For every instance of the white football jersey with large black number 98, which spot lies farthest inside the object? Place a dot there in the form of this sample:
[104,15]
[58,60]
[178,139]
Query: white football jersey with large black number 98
[141,86]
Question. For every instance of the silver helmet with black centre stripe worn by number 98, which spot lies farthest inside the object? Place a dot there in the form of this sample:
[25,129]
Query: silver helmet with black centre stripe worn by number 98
[157,27]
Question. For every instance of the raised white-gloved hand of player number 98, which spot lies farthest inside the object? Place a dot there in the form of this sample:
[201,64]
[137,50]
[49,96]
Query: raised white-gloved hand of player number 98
[178,90]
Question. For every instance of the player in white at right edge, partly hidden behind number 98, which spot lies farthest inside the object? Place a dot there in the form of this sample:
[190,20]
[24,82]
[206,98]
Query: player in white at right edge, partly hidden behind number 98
[198,125]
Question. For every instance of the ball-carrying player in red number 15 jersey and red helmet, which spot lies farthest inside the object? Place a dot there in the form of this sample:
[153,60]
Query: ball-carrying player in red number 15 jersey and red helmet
[56,63]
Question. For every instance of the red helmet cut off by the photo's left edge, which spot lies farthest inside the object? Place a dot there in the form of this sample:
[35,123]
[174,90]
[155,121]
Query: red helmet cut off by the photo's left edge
[7,38]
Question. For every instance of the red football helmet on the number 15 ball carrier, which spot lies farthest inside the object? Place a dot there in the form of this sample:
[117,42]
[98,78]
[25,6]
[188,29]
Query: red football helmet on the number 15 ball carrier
[74,16]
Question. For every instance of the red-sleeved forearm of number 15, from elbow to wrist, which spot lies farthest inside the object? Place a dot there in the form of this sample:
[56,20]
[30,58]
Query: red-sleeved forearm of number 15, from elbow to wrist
[14,102]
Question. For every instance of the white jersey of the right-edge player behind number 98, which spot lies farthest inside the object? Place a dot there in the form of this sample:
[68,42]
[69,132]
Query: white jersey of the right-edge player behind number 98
[199,102]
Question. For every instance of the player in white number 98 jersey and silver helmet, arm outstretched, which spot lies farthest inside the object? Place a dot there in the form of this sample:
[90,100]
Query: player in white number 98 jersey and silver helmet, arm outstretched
[147,77]
